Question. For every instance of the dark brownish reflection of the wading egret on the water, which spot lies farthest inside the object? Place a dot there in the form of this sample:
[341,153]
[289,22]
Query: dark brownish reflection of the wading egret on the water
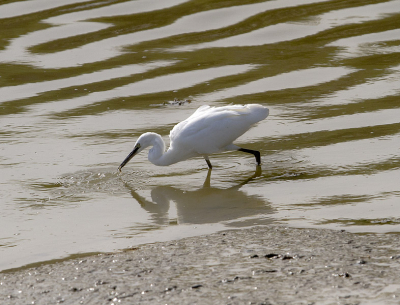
[205,205]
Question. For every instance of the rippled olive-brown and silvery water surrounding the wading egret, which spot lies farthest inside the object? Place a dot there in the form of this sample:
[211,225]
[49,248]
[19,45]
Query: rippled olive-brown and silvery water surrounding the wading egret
[80,80]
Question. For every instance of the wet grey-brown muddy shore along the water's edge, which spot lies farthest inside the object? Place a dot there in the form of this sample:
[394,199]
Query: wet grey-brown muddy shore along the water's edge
[262,265]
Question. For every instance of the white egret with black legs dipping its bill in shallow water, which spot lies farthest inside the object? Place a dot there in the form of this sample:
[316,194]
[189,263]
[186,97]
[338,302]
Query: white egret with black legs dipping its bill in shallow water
[208,130]
